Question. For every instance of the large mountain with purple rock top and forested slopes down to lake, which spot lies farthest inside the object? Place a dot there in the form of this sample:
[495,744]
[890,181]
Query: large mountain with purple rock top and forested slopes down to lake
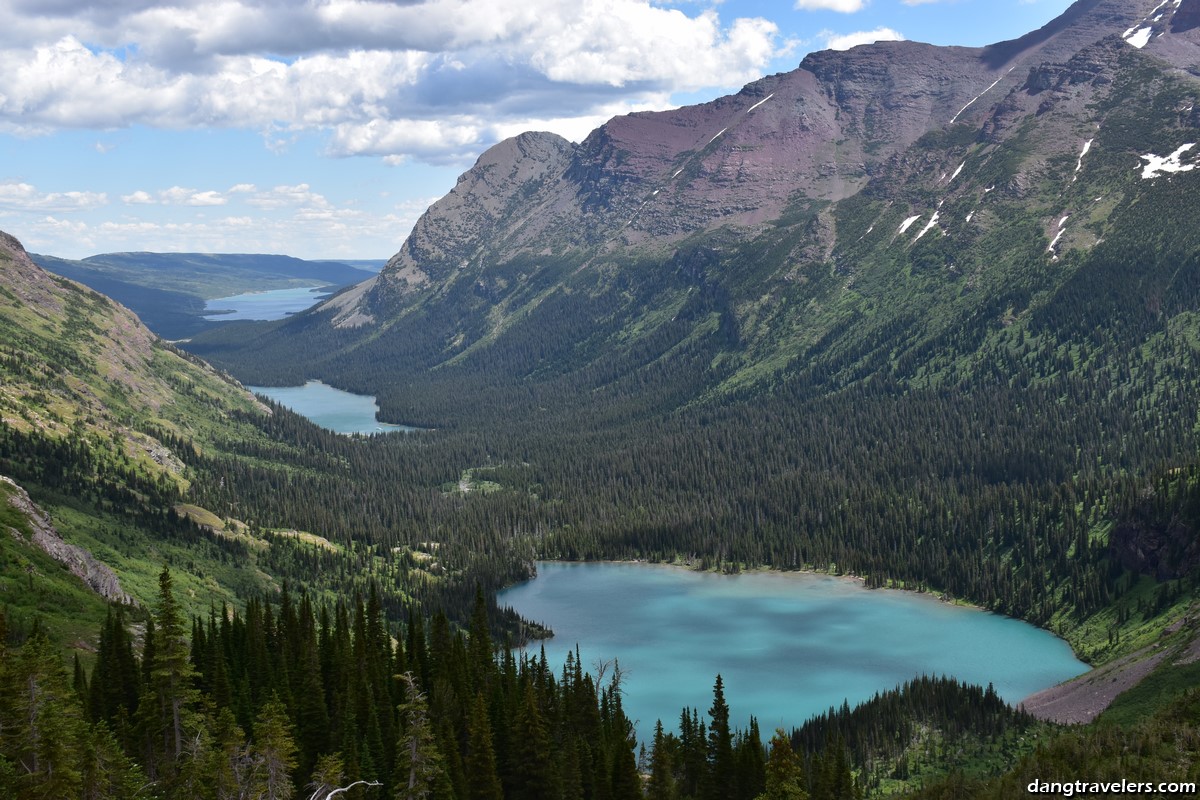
[897,314]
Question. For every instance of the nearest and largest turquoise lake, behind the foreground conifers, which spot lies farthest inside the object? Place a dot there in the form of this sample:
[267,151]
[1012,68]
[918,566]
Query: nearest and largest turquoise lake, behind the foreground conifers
[788,646]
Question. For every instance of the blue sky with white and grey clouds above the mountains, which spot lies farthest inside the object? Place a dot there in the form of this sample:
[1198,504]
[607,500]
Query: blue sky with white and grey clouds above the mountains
[323,129]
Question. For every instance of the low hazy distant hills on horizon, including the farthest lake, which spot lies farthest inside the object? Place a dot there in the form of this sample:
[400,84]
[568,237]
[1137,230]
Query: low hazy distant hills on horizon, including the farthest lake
[169,291]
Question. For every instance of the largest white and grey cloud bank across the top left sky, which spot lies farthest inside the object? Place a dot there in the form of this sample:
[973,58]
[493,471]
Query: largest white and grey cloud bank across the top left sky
[431,81]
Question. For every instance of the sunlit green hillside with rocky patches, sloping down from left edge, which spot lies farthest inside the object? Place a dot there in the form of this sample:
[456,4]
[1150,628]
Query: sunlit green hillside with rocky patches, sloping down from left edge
[135,452]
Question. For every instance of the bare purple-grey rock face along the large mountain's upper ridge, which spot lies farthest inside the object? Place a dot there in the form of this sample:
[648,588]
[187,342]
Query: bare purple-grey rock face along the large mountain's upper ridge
[643,183]
